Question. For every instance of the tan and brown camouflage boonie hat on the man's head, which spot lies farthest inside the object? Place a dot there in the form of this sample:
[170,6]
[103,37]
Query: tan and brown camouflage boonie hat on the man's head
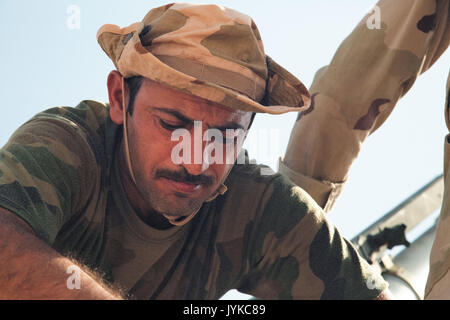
[208,51]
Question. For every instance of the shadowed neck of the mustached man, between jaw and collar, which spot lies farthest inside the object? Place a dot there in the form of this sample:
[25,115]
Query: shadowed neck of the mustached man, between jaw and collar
[136,199]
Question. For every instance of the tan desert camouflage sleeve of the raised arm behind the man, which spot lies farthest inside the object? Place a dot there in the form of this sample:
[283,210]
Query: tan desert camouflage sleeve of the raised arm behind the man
[352,97]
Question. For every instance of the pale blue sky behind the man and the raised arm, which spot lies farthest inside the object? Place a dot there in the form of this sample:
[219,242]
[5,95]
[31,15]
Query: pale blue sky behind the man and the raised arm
[45,64]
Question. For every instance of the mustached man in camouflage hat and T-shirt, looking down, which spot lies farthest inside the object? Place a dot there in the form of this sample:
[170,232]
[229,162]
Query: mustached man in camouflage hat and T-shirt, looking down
[136,191]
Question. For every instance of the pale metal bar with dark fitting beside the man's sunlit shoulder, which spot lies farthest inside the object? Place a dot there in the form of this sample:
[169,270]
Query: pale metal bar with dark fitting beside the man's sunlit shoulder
[390,231]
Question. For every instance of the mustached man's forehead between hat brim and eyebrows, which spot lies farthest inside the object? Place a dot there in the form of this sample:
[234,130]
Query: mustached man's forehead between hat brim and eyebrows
[155,95]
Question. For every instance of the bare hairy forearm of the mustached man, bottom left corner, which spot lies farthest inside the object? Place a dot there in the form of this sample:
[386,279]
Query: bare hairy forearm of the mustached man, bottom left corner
[30,269]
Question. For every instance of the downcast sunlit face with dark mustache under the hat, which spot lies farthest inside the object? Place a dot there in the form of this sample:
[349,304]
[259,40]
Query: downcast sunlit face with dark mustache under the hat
[168,150]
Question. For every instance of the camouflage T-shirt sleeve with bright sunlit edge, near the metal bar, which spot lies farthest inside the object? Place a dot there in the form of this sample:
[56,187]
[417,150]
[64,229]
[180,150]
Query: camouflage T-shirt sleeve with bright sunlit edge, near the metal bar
[296,253]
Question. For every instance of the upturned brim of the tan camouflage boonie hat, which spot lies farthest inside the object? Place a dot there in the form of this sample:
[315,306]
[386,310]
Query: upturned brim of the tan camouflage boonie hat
[284,92]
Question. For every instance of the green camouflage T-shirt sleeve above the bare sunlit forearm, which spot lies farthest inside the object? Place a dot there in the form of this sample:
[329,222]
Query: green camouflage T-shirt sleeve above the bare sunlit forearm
[41,176]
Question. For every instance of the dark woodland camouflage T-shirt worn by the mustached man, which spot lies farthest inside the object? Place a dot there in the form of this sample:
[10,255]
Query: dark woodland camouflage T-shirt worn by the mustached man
[265,236]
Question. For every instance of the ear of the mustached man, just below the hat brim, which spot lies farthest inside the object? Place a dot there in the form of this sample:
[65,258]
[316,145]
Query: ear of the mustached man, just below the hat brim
[114,84]
